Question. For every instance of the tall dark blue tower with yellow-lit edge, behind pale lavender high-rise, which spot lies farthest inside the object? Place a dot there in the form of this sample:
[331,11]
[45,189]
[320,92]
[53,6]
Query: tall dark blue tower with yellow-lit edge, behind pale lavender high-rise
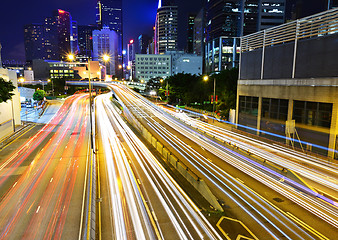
[109,14]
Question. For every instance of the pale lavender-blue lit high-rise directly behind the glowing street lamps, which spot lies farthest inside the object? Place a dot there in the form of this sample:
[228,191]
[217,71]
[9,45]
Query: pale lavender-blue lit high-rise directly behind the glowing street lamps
[105,41]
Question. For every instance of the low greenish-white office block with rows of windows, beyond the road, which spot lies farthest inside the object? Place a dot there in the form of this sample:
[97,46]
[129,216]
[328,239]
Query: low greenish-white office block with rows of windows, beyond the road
[149,66]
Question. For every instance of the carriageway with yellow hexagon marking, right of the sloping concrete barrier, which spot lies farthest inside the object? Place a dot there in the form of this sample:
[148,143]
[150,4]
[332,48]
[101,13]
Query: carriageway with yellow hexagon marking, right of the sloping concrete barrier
[262,199]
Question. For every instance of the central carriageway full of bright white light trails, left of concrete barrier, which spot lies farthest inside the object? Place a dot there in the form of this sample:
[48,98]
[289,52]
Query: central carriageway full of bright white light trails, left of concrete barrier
[140,199]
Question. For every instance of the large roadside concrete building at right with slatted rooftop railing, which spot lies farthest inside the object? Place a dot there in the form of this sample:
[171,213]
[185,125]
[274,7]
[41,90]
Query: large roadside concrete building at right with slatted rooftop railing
[287,76]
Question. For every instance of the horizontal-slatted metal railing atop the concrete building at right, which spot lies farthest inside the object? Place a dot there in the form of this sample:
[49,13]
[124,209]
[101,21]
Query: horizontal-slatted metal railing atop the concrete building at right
[317,25]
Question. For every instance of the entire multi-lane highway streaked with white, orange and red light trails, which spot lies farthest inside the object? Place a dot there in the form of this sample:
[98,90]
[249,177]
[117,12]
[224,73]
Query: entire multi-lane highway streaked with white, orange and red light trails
[44,182]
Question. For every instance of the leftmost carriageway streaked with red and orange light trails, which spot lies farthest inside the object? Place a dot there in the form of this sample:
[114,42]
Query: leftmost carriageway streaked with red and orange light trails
[42,182]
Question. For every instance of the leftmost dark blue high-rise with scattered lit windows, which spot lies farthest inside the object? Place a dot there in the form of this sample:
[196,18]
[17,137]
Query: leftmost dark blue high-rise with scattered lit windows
[34,42]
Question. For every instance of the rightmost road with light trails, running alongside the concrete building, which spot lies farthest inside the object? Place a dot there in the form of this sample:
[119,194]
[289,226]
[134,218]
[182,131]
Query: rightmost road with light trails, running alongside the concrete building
[320,174]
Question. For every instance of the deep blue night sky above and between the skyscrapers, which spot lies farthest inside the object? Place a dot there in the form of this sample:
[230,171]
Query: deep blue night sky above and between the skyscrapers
[139,17]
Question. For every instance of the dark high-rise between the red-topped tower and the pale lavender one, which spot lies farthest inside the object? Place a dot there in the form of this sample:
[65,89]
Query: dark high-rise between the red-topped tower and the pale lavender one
[85,39]
